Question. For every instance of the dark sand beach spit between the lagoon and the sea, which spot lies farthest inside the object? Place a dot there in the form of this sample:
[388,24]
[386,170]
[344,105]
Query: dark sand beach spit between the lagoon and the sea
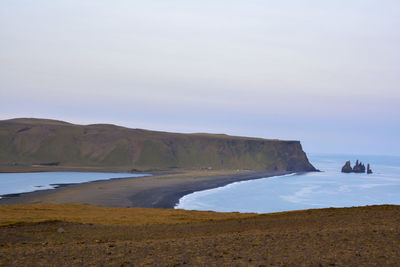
[162,190]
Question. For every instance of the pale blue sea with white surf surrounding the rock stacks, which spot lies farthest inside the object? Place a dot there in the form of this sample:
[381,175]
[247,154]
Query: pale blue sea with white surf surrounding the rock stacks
[328,188]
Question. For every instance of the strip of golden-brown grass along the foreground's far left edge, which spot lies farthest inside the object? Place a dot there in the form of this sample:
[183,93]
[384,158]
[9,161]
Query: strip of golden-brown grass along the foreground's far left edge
[81,213]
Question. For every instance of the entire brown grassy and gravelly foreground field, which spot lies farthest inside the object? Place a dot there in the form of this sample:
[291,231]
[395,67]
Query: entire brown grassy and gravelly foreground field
[75,234]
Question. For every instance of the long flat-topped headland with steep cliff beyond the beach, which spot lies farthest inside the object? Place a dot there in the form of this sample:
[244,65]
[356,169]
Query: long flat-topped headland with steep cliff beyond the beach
[34,141]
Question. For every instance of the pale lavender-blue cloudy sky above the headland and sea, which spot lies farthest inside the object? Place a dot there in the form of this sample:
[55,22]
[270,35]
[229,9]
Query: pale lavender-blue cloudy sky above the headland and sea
[326,73]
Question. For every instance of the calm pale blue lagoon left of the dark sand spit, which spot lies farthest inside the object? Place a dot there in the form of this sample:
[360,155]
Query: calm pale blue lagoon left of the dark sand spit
[13,183]
